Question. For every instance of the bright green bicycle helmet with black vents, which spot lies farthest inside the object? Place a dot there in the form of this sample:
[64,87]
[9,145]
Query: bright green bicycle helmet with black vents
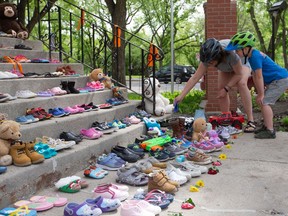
[241,40]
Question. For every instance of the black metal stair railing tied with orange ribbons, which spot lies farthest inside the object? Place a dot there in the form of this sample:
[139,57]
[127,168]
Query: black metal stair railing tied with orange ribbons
[81,36]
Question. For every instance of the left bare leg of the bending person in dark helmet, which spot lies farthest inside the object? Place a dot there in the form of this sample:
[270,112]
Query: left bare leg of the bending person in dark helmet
[223,79]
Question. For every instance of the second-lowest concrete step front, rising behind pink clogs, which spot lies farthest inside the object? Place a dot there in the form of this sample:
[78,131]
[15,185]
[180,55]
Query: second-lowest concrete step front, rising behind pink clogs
[54,126]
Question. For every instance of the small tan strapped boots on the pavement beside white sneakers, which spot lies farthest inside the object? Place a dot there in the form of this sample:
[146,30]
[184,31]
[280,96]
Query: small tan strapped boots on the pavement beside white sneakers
[160,181]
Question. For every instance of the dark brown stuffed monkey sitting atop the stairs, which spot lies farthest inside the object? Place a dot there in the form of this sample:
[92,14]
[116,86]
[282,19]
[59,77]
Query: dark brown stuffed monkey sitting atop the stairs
[9,22]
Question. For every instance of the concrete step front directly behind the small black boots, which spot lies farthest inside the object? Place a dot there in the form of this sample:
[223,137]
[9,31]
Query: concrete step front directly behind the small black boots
[11,86]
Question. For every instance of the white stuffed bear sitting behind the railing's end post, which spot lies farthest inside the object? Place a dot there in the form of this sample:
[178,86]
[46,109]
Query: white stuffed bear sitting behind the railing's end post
[162,105]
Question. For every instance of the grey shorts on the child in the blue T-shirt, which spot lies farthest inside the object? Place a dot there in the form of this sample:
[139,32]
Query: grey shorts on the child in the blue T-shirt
[274,90]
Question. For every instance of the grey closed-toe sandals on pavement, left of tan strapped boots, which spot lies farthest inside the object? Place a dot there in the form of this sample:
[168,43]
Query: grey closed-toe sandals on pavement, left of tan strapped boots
[132,176]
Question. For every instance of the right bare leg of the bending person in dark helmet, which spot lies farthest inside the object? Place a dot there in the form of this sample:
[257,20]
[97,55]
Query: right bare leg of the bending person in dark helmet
[245,93]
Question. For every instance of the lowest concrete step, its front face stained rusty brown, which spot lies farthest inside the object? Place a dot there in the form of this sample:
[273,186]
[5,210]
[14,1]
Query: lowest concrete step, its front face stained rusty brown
[20,182]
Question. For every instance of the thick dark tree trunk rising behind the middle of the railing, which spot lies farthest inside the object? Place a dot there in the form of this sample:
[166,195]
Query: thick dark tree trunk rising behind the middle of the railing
[118,12]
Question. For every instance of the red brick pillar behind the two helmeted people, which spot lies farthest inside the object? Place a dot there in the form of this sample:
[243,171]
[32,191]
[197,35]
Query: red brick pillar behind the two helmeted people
[220,23]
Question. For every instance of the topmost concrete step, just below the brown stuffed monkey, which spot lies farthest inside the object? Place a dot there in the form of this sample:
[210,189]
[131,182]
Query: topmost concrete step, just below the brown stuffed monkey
[6,42]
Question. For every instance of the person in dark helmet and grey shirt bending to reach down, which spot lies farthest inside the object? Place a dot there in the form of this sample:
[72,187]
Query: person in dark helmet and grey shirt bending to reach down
[231,72]
